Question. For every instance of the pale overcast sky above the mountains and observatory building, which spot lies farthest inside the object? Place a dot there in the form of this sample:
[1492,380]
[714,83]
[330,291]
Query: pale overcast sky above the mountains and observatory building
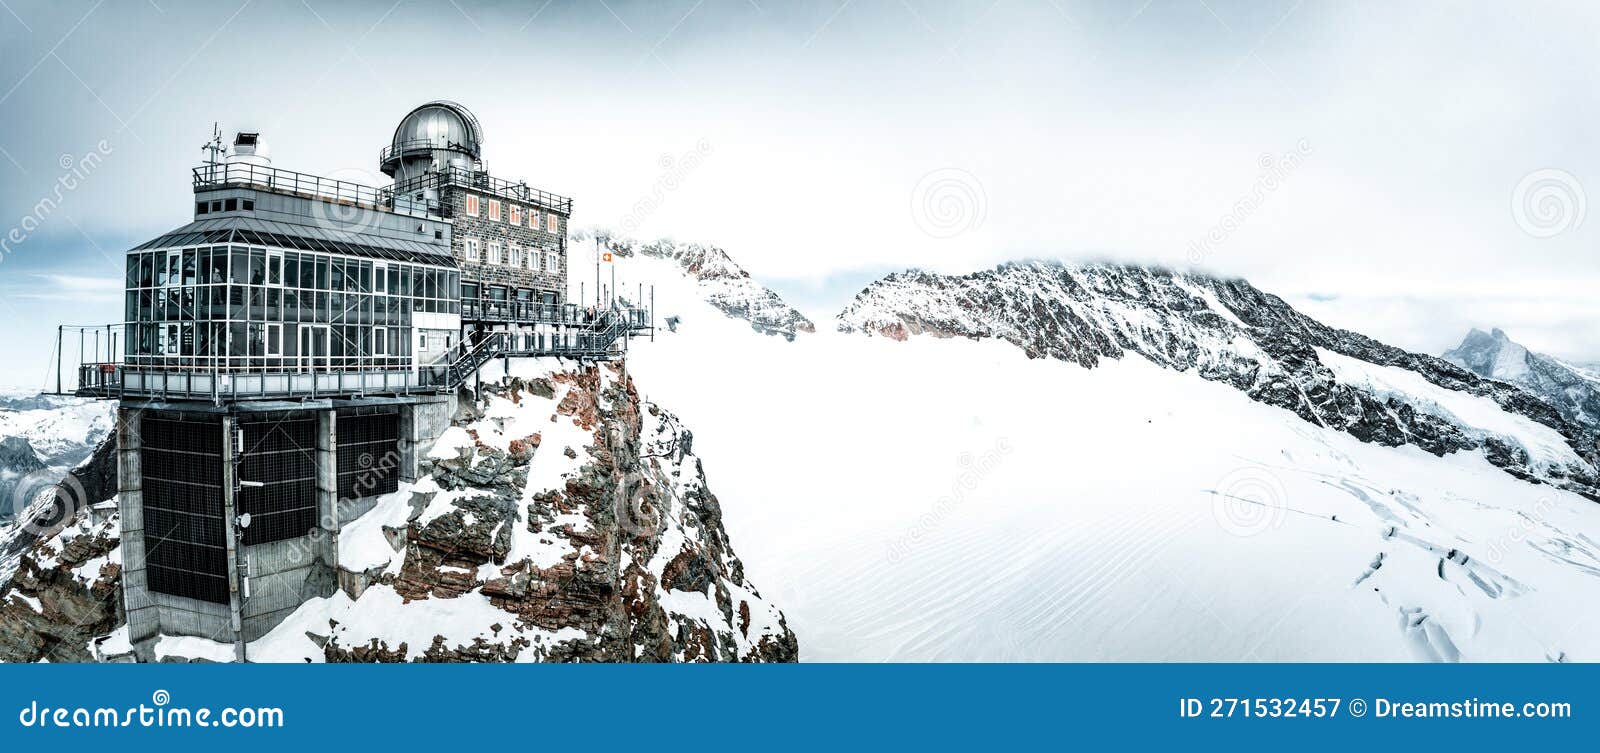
[1407,170]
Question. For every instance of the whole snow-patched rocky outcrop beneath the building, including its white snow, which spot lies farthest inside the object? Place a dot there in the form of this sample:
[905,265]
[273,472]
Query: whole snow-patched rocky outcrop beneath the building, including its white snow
[562,519]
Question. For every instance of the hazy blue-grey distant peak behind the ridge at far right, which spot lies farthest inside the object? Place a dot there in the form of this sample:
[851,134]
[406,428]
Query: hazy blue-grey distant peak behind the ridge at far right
[1574,389]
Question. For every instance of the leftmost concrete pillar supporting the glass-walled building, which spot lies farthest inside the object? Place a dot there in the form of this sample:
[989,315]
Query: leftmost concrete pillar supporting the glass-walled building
[145,623]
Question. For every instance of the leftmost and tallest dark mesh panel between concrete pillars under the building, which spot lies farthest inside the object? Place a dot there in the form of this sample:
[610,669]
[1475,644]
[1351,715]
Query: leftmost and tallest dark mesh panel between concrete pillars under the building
[185,549]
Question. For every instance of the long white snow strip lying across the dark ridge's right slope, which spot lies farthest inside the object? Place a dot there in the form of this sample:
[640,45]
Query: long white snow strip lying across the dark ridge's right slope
[1543,444]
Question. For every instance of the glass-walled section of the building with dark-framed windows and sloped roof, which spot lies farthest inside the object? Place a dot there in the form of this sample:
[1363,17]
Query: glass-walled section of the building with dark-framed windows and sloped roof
[289,298]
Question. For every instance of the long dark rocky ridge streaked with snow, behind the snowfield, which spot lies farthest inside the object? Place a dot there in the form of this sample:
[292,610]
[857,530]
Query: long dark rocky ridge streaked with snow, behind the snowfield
[1230,332]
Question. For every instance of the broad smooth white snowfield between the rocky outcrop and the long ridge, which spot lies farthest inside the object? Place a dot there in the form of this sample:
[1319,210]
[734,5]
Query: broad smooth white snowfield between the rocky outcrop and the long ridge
[948,500]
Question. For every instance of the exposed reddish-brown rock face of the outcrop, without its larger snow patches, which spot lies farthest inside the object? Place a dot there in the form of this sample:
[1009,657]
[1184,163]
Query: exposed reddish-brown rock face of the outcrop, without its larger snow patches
[631,496]
